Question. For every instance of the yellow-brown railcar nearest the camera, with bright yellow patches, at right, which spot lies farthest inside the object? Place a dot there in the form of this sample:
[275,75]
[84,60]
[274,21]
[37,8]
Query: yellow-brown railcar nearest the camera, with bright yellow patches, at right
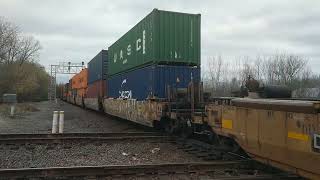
[281,133]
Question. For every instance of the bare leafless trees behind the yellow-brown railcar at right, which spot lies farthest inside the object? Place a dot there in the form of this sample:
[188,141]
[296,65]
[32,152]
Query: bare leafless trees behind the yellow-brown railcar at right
[223,76]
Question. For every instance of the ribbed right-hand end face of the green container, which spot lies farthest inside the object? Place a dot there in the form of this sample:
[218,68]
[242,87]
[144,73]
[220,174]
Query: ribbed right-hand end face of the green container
[178,37]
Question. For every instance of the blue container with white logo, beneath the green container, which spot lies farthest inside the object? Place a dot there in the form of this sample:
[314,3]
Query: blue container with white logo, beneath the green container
[151,80]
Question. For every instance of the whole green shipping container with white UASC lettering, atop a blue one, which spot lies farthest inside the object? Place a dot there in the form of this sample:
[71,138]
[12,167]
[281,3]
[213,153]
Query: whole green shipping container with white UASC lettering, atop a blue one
[162,37]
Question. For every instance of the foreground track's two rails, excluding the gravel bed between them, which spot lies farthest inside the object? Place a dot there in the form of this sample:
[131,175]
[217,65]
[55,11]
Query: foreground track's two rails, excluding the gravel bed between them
[218,164]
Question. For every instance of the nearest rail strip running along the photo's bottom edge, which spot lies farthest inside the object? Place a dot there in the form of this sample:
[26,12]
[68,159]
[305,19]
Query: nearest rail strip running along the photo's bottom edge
[202,170]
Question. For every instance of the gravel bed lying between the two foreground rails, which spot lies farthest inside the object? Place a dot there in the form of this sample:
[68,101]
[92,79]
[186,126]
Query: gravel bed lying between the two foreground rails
[75,154]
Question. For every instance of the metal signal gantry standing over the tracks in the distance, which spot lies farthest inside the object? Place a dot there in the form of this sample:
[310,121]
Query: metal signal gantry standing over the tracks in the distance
[61,68]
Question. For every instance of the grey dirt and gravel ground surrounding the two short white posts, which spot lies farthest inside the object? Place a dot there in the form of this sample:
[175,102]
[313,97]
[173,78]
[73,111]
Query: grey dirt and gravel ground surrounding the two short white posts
[37,118]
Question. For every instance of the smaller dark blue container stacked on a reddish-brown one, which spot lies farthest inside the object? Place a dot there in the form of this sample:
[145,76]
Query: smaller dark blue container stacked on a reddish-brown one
[97,67]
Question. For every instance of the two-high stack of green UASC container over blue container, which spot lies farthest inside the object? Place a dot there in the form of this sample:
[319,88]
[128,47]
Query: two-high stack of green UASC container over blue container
[163,49]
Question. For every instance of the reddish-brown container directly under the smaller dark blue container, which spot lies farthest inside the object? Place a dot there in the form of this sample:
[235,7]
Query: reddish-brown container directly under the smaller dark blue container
[96,89]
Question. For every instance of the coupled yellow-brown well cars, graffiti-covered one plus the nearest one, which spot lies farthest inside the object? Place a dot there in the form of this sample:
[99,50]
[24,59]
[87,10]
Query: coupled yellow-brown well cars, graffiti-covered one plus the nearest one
[281,133]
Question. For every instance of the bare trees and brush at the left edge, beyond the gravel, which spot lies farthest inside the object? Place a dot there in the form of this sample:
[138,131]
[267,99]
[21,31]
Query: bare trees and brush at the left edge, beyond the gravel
[20,72]
